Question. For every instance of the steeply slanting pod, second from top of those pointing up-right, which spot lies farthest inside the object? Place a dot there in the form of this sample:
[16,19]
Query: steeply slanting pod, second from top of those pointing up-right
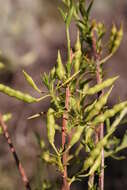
[98,106]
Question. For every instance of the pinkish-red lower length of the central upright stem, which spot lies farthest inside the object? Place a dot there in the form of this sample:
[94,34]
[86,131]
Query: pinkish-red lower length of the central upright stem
[64,128]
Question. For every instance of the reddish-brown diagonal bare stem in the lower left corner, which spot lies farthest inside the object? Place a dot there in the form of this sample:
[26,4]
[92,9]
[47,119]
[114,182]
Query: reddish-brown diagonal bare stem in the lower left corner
[12,149]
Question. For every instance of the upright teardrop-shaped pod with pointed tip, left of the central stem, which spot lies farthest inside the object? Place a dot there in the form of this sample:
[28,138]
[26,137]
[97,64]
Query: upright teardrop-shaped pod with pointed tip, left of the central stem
[60,70]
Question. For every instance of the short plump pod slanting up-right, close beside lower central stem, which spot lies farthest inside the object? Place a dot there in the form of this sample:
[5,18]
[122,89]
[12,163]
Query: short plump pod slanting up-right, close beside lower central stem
[76,136]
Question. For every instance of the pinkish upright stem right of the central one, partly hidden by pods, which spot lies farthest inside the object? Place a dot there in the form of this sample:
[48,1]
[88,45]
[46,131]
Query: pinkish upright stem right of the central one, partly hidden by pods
[101,127]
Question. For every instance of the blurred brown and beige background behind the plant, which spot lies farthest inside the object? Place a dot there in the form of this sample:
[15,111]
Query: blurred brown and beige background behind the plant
[30,34]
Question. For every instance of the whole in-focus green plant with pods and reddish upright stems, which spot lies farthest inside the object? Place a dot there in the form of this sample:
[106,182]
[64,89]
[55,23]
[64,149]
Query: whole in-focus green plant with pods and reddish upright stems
[78,103]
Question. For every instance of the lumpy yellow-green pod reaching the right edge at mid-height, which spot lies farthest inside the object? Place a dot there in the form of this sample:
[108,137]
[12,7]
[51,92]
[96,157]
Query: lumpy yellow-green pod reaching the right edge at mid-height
[109,113]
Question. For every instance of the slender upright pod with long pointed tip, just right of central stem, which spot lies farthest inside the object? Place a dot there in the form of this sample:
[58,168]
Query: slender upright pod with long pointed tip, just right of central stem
[78,54]
